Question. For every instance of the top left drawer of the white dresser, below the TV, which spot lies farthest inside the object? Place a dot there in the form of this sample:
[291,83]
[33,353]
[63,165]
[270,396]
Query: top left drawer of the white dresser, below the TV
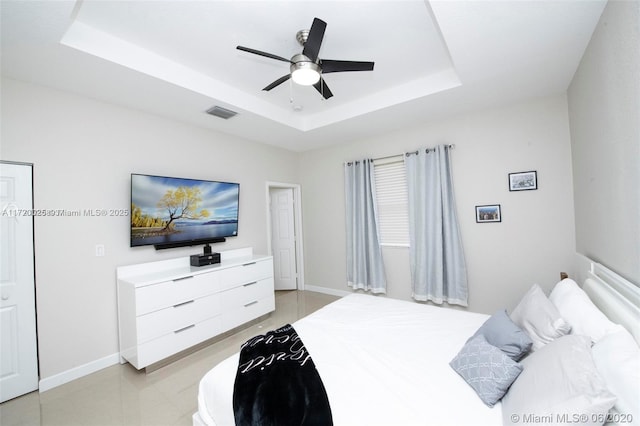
[169,293]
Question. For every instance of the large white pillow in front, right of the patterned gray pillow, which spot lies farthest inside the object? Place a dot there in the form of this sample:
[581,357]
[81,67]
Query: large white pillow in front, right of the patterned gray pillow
[558,383]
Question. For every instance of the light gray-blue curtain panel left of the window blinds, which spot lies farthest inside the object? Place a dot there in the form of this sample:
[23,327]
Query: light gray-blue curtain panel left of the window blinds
[364,256]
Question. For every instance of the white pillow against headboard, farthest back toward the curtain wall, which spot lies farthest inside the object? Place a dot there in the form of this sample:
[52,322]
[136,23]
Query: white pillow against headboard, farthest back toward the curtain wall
[584,317]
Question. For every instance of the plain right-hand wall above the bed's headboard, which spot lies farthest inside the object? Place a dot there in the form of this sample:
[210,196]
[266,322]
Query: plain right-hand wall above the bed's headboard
[604,109]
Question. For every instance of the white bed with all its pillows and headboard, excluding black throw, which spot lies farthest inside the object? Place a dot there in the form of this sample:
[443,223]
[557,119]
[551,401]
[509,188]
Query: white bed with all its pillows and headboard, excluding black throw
[389,362]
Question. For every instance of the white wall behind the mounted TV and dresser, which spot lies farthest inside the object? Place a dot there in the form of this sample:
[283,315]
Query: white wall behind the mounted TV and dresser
[83,153]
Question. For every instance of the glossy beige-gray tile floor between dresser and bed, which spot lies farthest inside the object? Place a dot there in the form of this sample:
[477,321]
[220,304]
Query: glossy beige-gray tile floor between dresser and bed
[121,395]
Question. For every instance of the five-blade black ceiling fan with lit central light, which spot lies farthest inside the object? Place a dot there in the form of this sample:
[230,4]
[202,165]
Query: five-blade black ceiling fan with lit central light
[306,68]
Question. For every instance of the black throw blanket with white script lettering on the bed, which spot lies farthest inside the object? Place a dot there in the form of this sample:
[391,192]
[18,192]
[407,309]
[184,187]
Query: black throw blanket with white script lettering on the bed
[277,383]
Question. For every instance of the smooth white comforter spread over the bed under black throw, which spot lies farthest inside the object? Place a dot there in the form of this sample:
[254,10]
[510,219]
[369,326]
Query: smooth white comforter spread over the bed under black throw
[382,362]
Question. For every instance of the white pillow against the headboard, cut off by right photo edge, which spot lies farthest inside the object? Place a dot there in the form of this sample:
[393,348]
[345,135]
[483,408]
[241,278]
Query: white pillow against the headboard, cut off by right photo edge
[617,358]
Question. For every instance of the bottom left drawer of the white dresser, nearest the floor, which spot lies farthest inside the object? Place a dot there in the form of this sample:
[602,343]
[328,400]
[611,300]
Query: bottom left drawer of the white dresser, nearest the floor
[174,342]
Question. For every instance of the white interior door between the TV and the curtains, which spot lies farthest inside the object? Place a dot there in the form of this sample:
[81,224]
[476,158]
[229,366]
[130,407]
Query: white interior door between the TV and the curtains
[283,239]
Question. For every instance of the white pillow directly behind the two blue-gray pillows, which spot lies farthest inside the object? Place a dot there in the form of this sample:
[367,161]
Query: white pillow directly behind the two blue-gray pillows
[539,318]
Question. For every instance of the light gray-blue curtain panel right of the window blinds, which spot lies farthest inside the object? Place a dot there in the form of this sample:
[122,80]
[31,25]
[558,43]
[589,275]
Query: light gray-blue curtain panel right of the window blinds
[438,269]
